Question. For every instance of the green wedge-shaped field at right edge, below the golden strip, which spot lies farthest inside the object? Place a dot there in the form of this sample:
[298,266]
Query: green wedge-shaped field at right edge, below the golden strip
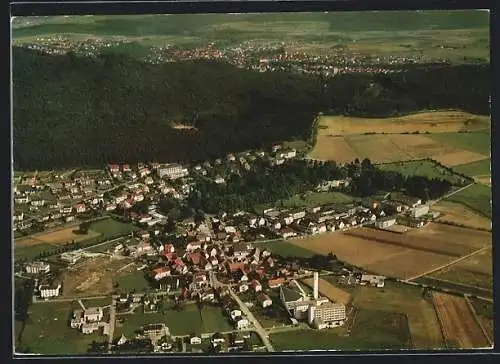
[478,142]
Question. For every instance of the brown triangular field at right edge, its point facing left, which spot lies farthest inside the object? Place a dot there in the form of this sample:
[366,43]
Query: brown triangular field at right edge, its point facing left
[475,271]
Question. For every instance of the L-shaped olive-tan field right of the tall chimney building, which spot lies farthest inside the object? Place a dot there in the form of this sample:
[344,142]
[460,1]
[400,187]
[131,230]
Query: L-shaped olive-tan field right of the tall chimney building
[404,299]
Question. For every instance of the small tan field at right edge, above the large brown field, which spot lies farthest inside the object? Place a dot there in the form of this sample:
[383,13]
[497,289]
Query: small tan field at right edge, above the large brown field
[459,214]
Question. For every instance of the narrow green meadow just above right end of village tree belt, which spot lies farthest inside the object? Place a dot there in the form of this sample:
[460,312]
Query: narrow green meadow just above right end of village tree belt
[421,168]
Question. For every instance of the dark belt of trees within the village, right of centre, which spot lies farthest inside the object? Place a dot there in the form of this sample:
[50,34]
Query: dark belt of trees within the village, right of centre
[263,186]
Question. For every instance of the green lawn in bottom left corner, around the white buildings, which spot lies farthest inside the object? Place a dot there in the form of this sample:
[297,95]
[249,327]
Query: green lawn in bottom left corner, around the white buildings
[47,331]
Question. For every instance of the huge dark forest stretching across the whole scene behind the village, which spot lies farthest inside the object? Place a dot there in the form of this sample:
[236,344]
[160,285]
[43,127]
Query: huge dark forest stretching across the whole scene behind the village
[72,111]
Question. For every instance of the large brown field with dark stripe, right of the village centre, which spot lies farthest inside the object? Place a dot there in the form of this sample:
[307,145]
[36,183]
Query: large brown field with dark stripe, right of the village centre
[399,255]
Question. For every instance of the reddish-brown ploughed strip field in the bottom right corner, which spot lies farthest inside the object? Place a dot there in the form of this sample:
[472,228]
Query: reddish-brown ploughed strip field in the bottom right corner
[457,322]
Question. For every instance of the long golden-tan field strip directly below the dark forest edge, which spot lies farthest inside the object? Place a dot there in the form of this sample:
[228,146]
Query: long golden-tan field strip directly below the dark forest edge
[435,122]
